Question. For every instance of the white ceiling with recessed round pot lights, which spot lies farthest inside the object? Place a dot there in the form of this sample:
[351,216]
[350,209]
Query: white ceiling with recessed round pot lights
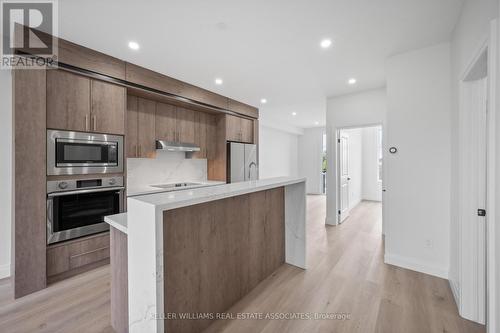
[263,48]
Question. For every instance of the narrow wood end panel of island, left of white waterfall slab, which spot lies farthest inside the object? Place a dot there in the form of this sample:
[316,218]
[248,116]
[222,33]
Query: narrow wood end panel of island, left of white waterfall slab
[119,281]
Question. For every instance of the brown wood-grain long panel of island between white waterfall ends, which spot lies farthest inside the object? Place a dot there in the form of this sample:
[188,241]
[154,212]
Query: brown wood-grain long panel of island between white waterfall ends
[217,252]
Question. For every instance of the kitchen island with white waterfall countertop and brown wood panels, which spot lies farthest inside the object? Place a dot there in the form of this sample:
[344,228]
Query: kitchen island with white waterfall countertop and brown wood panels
[198,251]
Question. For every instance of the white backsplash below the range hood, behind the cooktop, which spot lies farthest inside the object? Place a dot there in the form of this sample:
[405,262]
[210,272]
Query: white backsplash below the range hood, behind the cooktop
[167,167]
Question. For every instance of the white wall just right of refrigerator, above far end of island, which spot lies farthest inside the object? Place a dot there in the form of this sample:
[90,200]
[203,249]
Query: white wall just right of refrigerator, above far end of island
[278,153]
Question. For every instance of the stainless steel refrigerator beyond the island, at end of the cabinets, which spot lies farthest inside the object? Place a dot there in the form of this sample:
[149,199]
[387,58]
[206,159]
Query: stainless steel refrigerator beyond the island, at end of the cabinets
[242,162]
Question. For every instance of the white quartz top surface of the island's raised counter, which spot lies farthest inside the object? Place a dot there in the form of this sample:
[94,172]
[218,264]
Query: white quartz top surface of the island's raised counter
[188,197]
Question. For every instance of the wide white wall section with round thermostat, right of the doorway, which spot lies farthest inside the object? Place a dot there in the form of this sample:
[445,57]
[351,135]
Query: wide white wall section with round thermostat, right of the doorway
[418,176]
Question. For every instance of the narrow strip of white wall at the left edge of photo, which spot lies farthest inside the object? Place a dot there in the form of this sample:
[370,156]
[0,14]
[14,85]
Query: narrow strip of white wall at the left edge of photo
[5,171]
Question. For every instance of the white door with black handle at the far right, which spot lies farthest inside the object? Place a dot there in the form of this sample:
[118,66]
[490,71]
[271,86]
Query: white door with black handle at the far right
[473,199]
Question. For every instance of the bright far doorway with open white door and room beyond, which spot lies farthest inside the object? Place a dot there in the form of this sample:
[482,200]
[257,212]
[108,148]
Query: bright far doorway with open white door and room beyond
[359,168]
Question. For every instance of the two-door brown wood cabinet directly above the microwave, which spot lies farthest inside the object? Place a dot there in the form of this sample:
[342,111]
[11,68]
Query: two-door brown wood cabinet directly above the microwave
[77,103]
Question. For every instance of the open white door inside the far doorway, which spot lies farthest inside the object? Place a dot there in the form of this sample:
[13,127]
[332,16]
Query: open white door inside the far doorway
[344,179]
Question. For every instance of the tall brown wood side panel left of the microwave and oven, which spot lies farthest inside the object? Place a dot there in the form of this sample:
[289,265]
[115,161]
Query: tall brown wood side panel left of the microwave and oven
[28,246]
